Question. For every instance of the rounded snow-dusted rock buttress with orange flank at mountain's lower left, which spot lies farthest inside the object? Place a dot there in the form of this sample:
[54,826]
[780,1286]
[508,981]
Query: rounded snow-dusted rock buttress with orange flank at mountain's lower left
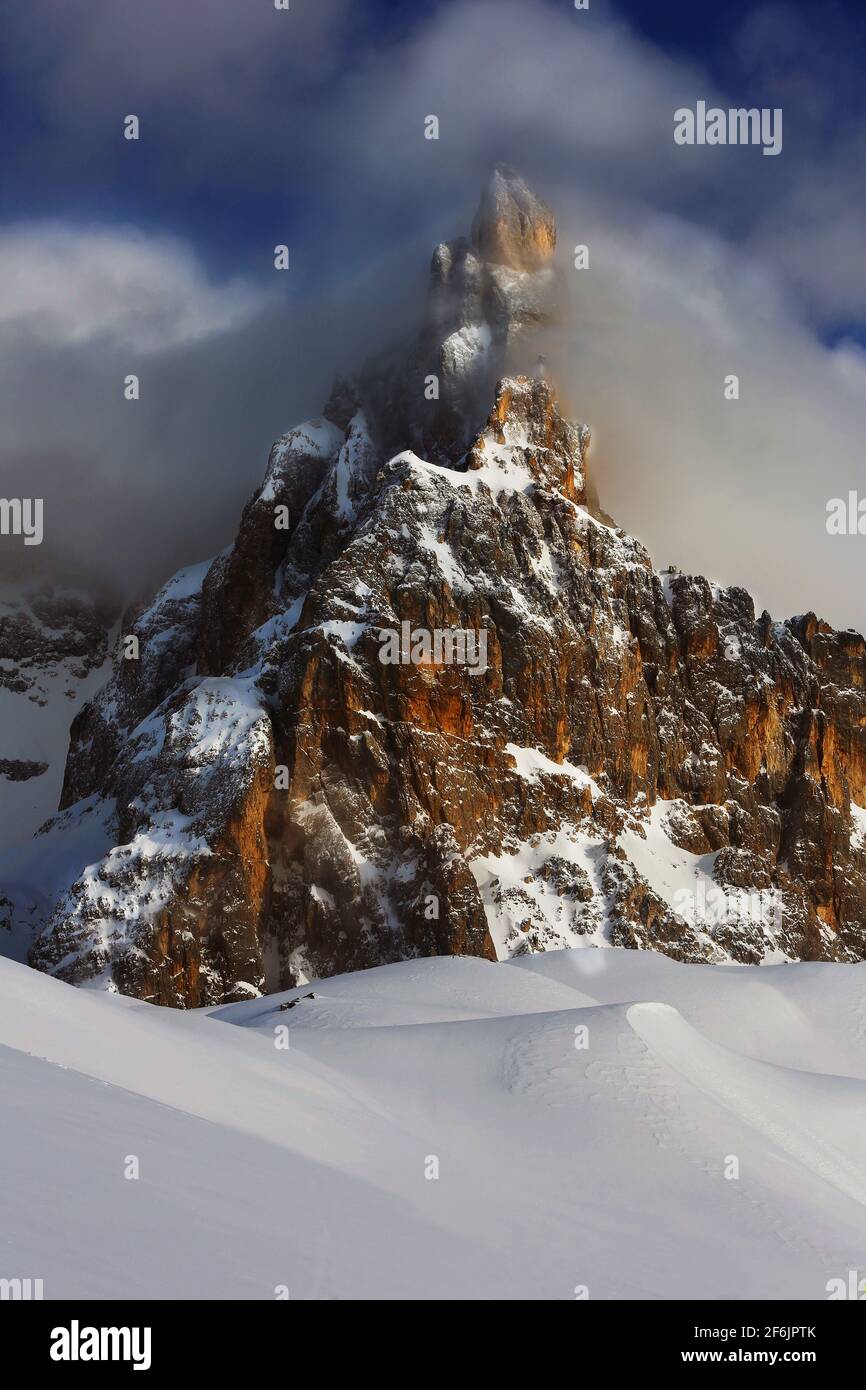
[172,913]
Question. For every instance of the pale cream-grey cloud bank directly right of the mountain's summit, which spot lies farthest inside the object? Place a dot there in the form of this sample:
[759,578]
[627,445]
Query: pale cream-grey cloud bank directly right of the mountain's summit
[735,490]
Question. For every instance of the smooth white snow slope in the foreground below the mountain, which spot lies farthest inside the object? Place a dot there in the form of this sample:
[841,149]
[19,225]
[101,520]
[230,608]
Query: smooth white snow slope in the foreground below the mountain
[558,1166]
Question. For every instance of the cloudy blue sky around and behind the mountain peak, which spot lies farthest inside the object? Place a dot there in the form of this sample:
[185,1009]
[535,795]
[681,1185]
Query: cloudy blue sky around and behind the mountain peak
[262,127]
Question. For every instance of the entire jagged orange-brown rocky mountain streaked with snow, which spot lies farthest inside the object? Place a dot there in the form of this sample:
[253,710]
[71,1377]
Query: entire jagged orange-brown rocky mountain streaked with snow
[433,703]
